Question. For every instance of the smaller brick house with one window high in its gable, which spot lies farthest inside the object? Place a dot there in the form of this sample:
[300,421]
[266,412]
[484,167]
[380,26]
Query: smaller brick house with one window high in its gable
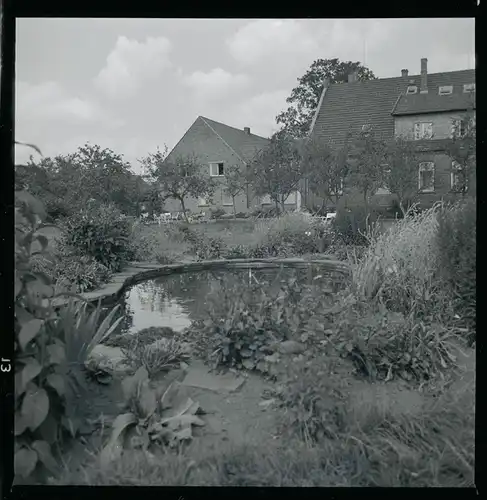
[217,146]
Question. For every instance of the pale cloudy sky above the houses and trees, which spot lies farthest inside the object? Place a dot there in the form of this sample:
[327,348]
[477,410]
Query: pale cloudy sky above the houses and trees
[135,84]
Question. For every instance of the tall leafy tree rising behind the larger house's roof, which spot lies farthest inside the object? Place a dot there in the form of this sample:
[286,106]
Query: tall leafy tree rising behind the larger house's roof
[304,98]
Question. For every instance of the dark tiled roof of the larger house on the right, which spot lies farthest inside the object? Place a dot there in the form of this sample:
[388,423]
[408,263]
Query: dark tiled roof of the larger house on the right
[346,107]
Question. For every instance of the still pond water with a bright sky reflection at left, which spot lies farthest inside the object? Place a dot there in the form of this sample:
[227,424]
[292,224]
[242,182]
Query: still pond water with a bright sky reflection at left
[176,300]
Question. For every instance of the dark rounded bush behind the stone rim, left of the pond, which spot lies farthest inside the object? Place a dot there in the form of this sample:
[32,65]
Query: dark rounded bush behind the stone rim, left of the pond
[101,232]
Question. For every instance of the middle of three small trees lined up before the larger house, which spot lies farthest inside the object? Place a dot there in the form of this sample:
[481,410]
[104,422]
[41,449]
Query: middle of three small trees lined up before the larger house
[366,164]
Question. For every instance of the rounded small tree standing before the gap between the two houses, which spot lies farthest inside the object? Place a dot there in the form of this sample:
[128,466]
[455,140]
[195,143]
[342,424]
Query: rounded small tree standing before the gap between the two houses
[277,169]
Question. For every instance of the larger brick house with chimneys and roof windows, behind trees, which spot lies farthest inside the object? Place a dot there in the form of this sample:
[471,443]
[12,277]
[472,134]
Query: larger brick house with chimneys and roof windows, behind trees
[421,108]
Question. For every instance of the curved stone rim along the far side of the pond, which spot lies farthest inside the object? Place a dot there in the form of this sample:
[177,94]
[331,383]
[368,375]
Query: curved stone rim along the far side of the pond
[135,272]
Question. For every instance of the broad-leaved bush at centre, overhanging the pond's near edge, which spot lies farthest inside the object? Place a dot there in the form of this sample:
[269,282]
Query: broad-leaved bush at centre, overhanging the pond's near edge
[243,325]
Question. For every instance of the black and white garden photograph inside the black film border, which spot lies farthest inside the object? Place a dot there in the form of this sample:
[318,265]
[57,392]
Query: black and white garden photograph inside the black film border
[245,252]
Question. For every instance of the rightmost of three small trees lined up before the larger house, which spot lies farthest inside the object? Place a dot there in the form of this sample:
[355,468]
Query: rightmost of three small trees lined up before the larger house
[401,172]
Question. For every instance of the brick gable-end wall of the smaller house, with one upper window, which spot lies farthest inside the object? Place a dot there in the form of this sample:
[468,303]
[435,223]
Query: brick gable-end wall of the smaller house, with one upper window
[200,141]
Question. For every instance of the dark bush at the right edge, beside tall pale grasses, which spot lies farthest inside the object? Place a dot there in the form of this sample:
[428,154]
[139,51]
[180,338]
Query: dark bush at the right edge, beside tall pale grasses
[457,238]
